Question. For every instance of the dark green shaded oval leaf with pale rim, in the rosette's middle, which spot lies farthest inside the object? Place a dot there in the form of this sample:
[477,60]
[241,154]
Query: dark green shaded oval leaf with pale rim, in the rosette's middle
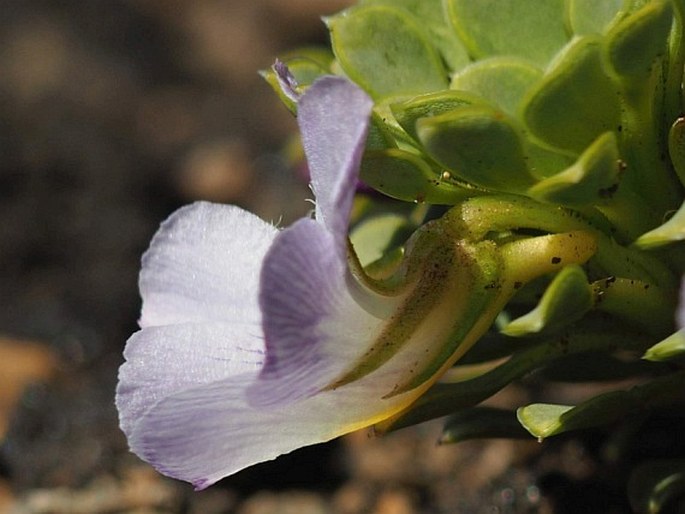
[480,145]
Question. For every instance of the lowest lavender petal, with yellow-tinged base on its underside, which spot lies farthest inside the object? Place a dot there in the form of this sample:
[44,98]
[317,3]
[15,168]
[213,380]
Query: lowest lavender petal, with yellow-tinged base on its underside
[208,432]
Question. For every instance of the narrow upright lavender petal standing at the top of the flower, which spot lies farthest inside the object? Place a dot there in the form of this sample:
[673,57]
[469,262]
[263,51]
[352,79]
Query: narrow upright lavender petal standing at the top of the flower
[333,116]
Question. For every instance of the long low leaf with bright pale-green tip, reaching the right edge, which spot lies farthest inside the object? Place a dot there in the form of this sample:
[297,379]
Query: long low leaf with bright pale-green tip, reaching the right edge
[545,420]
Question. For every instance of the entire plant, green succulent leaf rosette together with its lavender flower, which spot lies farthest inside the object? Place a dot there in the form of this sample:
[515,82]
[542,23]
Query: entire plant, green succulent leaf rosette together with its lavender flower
[530,160]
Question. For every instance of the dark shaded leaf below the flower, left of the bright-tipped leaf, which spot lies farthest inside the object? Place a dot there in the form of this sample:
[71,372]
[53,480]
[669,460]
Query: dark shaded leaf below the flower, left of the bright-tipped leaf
[481,423]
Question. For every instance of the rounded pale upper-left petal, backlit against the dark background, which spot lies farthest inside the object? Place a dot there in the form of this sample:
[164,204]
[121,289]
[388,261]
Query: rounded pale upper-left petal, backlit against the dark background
[203,265]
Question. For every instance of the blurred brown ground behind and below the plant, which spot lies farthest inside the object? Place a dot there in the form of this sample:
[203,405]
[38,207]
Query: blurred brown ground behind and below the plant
[112,115]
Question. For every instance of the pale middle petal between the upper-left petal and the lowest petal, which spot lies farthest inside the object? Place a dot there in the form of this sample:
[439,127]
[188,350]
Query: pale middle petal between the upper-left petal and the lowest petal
[161,361]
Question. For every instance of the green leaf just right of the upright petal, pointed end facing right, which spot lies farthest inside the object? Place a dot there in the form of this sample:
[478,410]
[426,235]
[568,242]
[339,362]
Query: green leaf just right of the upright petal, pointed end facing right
[405,176]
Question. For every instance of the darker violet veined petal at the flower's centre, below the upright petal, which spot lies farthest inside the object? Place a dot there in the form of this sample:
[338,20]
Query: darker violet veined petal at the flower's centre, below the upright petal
[313,328]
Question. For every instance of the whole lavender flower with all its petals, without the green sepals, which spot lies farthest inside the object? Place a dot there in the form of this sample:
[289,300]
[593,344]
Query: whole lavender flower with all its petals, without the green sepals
[247,331]
